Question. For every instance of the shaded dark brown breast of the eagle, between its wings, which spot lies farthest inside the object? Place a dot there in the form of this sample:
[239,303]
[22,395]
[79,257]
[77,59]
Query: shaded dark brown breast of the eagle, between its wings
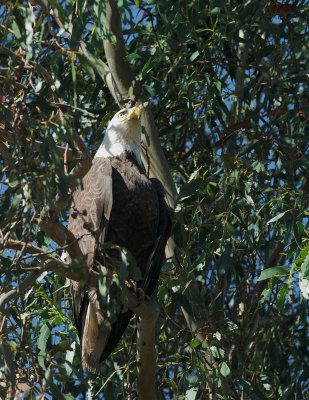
[134,217]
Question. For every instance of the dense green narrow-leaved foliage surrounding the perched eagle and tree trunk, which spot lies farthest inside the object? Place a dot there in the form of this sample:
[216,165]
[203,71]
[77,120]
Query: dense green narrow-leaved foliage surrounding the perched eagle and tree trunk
[234,129]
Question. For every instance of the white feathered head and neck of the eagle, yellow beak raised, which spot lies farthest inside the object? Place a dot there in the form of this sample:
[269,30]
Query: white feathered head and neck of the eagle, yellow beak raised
[123,134]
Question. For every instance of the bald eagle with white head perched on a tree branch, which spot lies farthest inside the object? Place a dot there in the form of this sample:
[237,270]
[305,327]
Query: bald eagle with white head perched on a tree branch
[117,203]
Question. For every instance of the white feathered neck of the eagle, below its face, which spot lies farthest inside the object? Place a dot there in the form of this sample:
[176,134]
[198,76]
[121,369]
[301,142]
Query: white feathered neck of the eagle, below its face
[116,145]
